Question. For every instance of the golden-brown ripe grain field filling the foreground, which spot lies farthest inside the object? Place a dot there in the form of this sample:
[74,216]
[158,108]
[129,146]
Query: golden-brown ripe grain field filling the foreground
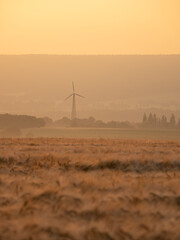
[89,189]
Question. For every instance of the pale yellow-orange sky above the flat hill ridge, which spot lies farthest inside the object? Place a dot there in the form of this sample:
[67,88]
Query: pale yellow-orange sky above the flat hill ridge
[90,26]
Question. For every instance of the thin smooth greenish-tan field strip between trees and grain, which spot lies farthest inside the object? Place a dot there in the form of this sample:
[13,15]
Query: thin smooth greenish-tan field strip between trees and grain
[111,133]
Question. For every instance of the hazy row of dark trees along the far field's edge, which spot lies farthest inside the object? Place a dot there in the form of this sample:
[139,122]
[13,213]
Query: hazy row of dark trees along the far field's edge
[9,122]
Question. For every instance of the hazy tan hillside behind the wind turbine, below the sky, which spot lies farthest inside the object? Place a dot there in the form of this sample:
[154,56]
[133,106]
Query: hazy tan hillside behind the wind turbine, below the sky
[116,87]
